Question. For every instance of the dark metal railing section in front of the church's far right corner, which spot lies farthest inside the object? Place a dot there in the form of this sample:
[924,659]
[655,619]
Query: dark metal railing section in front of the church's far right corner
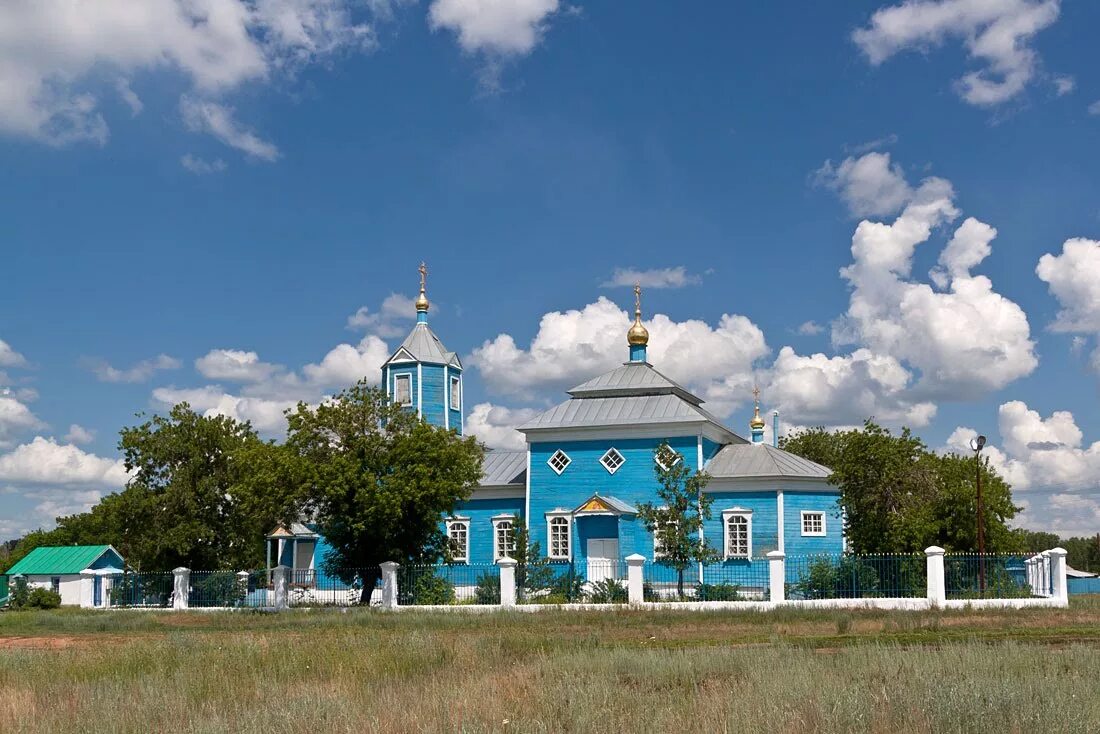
[894,576]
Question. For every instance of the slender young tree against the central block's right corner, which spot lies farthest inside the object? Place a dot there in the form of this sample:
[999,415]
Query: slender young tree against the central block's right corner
[678,521]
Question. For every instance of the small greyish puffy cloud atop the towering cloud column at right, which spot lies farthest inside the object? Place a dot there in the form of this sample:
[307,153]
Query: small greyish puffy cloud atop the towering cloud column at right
[871,185]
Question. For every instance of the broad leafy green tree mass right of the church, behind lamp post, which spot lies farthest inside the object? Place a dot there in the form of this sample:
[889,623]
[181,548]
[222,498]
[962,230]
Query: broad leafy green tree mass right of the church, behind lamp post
[900,497]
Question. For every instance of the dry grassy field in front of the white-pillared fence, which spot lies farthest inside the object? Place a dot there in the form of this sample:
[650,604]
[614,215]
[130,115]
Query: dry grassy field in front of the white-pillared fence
[1033,671]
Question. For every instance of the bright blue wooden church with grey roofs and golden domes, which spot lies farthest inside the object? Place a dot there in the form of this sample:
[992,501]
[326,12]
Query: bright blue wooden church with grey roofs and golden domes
[590,463]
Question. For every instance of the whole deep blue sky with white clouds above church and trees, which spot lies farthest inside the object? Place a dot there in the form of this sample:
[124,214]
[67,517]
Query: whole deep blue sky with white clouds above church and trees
[200,198]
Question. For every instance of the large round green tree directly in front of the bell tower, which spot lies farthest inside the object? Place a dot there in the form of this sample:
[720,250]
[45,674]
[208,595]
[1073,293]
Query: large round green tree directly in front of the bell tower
[376,478]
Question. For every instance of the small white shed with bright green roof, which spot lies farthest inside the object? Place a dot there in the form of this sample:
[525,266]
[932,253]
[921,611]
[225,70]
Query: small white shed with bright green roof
[80,574]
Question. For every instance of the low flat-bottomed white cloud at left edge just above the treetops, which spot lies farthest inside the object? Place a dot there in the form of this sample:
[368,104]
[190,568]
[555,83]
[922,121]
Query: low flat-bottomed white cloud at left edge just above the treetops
[46,462]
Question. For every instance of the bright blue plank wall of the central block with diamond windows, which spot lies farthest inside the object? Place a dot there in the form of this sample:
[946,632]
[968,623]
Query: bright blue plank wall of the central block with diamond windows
[634,483]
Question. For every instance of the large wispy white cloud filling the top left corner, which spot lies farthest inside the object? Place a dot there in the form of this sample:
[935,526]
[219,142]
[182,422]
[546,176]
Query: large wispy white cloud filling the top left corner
[58,57]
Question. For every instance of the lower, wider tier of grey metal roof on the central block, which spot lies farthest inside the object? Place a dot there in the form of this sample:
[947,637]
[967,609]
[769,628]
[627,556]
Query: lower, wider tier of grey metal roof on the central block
[629,410]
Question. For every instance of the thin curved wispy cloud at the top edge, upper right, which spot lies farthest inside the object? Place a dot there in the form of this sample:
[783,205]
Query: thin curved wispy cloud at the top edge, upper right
[998,36]
